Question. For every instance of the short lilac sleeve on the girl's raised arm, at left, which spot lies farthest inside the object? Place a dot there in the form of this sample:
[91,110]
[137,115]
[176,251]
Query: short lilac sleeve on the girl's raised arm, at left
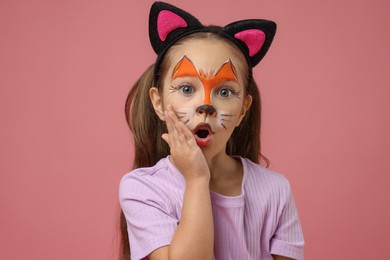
[151,222]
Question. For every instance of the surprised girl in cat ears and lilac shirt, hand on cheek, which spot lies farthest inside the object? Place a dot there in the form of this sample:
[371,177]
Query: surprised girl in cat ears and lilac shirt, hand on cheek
[197,190]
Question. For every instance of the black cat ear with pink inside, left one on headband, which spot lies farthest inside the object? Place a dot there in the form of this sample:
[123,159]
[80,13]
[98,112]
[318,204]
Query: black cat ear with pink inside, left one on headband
[167,24]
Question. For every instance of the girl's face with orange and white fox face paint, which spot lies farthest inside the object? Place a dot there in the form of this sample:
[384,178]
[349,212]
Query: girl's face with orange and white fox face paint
[205,86]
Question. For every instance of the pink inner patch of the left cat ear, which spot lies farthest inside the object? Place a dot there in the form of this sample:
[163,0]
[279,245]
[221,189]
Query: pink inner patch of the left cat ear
[168,21]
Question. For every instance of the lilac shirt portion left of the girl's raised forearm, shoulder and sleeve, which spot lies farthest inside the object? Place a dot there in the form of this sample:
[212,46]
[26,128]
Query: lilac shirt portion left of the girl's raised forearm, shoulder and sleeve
[151,199]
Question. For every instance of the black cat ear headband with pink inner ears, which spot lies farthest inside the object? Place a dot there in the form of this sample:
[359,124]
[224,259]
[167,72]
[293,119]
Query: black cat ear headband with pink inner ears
[168,24]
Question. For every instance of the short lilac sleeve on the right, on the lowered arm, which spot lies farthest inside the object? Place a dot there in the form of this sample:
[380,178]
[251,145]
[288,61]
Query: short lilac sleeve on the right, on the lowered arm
[288,238]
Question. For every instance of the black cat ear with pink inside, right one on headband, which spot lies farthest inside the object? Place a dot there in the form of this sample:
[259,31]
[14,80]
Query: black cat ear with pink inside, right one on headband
[254,37]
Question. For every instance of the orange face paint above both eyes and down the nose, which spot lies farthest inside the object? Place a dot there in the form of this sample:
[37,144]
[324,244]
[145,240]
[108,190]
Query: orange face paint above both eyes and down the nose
[185,68]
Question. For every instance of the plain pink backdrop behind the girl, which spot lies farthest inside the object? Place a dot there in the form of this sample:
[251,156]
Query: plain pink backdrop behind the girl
[67,66]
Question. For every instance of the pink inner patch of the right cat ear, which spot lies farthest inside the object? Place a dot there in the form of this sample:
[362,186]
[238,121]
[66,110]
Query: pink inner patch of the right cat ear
[253,39]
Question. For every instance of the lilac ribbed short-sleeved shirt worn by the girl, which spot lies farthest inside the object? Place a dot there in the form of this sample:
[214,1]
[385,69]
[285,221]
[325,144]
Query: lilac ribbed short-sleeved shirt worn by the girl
[263,220]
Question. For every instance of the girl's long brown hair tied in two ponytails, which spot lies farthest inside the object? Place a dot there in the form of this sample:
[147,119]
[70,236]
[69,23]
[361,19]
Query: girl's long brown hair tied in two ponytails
[147,128]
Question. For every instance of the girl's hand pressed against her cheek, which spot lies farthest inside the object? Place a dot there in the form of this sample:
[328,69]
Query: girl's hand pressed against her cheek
[185,153]
